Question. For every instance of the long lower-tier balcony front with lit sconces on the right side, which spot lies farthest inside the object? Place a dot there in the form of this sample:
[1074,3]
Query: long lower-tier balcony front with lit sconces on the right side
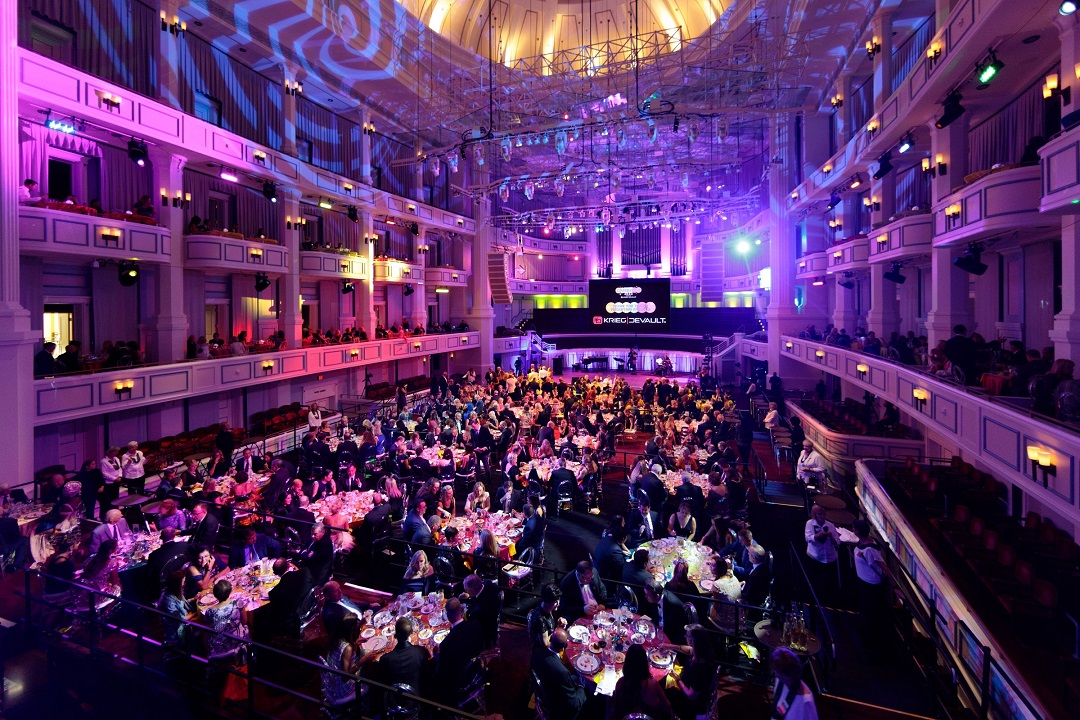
[997,433]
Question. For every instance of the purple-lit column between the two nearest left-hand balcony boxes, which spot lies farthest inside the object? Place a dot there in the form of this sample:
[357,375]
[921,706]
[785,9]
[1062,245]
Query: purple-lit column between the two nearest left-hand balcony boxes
[170,327]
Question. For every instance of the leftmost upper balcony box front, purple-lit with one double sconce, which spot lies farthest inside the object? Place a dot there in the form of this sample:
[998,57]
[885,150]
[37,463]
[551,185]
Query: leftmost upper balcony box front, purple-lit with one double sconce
[60,229]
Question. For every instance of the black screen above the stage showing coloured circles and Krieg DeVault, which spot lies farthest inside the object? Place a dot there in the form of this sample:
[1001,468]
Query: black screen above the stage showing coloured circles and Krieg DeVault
[631,306]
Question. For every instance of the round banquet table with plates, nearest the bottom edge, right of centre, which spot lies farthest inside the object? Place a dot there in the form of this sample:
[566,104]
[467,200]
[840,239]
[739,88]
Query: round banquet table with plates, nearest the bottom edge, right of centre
[619,630]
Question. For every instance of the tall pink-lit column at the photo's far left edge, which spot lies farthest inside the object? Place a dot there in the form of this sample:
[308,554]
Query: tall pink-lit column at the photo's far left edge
[17,339]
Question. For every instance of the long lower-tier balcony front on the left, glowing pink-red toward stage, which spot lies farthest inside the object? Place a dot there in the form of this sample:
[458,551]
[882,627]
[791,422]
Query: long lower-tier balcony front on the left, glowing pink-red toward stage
[69,398]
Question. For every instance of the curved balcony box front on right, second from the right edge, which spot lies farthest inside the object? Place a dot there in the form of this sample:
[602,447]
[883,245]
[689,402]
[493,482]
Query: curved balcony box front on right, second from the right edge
[989,205]
